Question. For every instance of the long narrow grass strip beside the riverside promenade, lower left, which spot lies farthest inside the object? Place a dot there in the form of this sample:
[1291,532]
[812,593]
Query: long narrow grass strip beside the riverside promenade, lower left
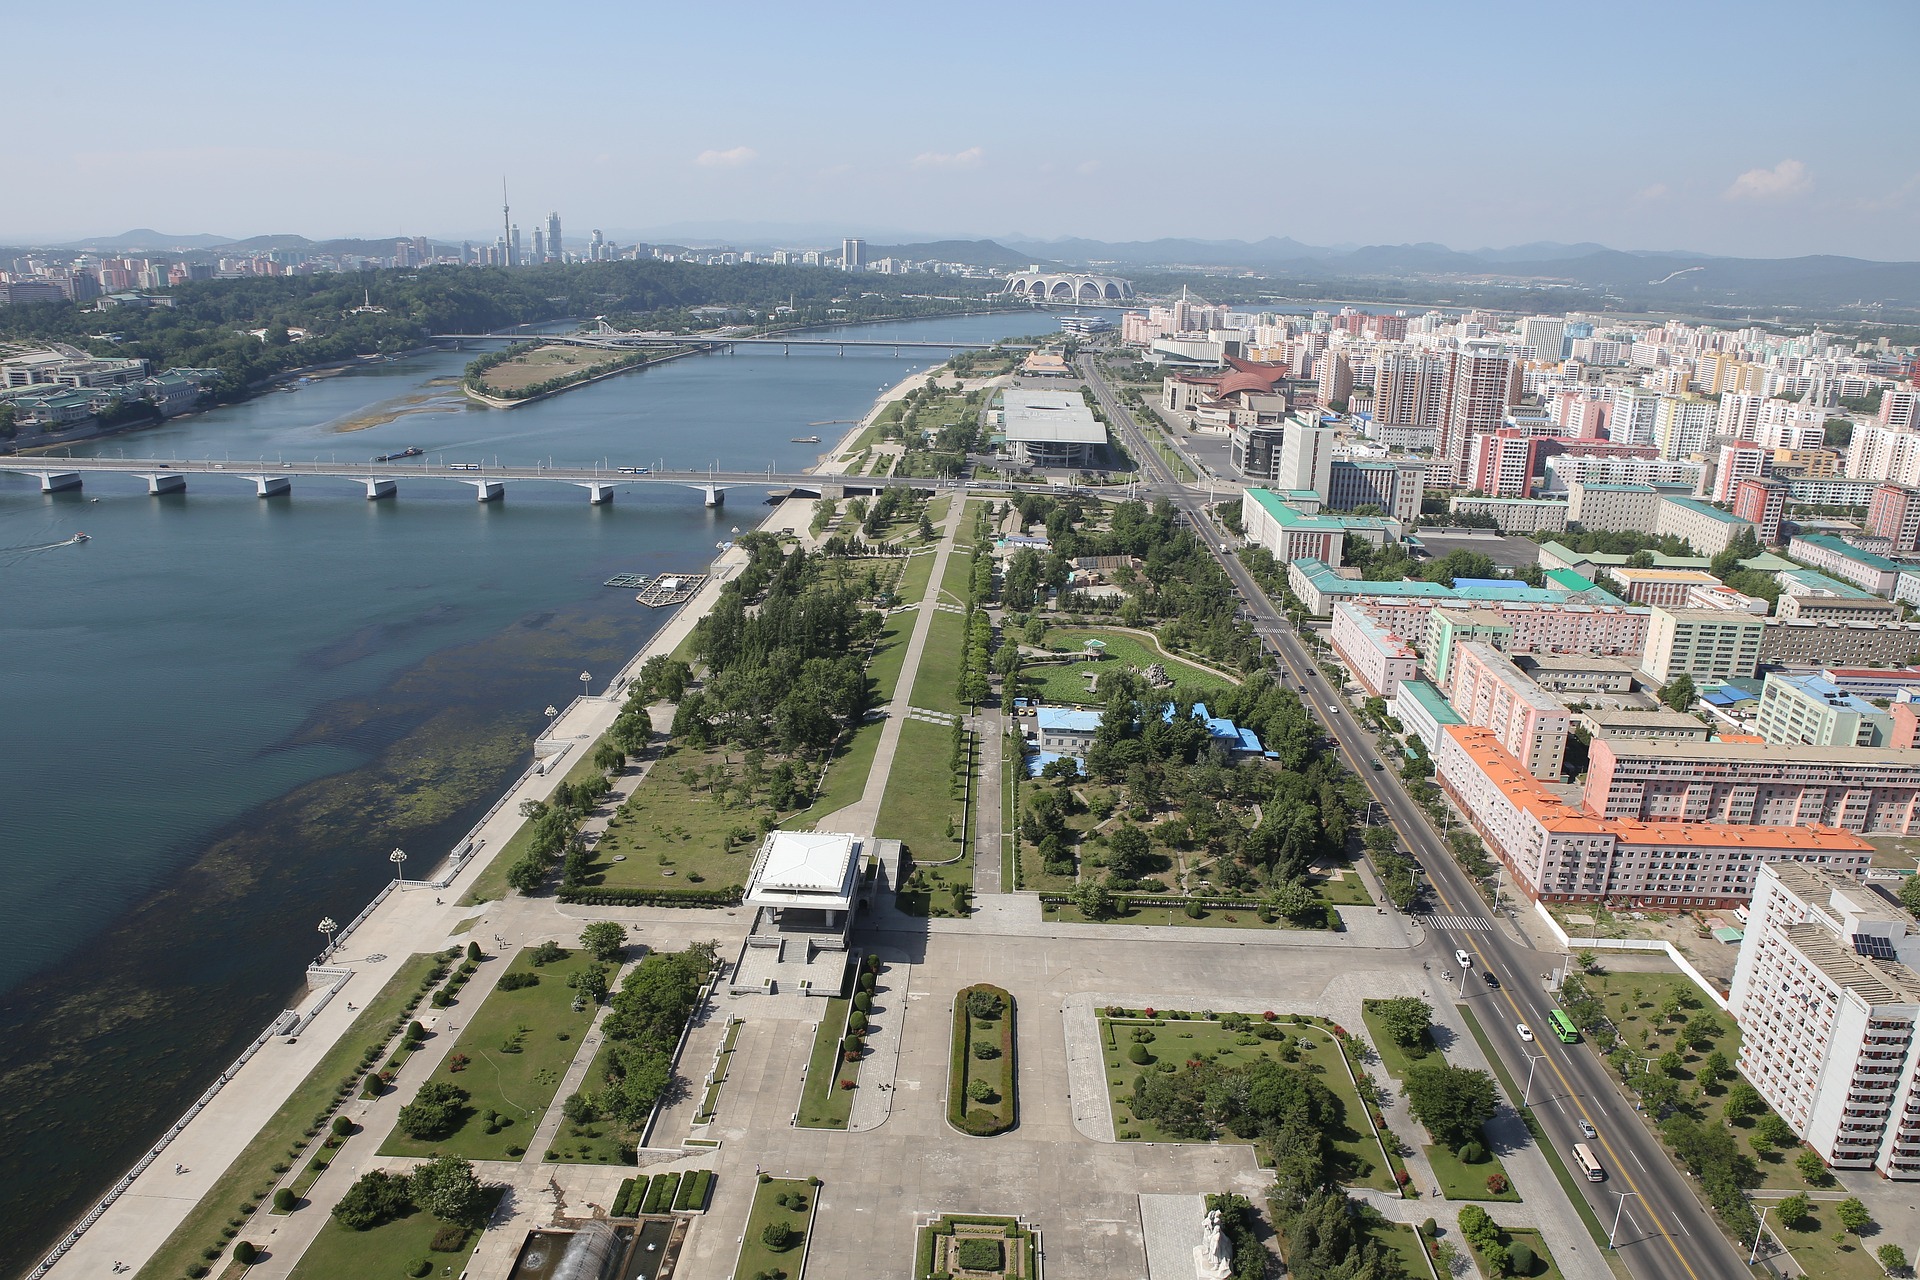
[252,1170]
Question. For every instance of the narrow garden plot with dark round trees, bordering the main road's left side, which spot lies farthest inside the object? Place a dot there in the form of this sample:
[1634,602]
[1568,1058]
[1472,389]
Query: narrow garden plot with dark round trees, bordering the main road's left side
[1445,1099]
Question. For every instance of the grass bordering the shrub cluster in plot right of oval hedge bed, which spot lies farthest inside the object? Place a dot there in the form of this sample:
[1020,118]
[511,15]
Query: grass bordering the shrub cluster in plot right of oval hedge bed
[1360,1152]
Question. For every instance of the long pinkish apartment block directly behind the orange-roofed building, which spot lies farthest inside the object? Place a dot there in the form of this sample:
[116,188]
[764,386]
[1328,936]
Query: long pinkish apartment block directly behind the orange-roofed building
[1861,790]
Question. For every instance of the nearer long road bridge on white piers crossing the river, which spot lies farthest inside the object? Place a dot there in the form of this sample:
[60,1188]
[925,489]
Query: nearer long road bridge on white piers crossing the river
[274,479]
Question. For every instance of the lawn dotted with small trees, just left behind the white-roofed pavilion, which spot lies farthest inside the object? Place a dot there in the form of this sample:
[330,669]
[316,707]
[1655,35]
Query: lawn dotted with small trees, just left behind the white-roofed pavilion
[673,834]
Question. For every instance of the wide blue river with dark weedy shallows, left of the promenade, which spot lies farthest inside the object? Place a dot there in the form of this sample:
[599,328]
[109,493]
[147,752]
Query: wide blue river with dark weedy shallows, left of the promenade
[222,715]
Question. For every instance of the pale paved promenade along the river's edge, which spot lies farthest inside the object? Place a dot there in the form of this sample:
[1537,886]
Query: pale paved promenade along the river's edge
[155,1202]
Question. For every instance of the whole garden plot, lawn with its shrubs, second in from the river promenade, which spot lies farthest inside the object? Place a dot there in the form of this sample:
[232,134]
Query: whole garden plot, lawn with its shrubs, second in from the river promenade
[487,1097]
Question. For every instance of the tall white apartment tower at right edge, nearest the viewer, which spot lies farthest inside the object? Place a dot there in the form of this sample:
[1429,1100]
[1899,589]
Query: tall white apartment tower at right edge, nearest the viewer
[1827,1001]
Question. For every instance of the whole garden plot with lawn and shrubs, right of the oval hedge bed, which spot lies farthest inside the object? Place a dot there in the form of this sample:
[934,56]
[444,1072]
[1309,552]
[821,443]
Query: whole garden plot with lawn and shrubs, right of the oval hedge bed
[1161,1066]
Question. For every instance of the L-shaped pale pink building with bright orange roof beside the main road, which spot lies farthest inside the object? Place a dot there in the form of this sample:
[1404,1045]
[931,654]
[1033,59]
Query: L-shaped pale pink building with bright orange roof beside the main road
[1560,853]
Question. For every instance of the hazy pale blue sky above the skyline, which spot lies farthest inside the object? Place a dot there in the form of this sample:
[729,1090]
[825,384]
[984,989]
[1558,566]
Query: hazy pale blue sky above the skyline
[1746,128]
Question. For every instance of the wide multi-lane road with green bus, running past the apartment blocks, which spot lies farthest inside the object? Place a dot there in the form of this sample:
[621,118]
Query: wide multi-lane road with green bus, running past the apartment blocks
[1666,1233]
